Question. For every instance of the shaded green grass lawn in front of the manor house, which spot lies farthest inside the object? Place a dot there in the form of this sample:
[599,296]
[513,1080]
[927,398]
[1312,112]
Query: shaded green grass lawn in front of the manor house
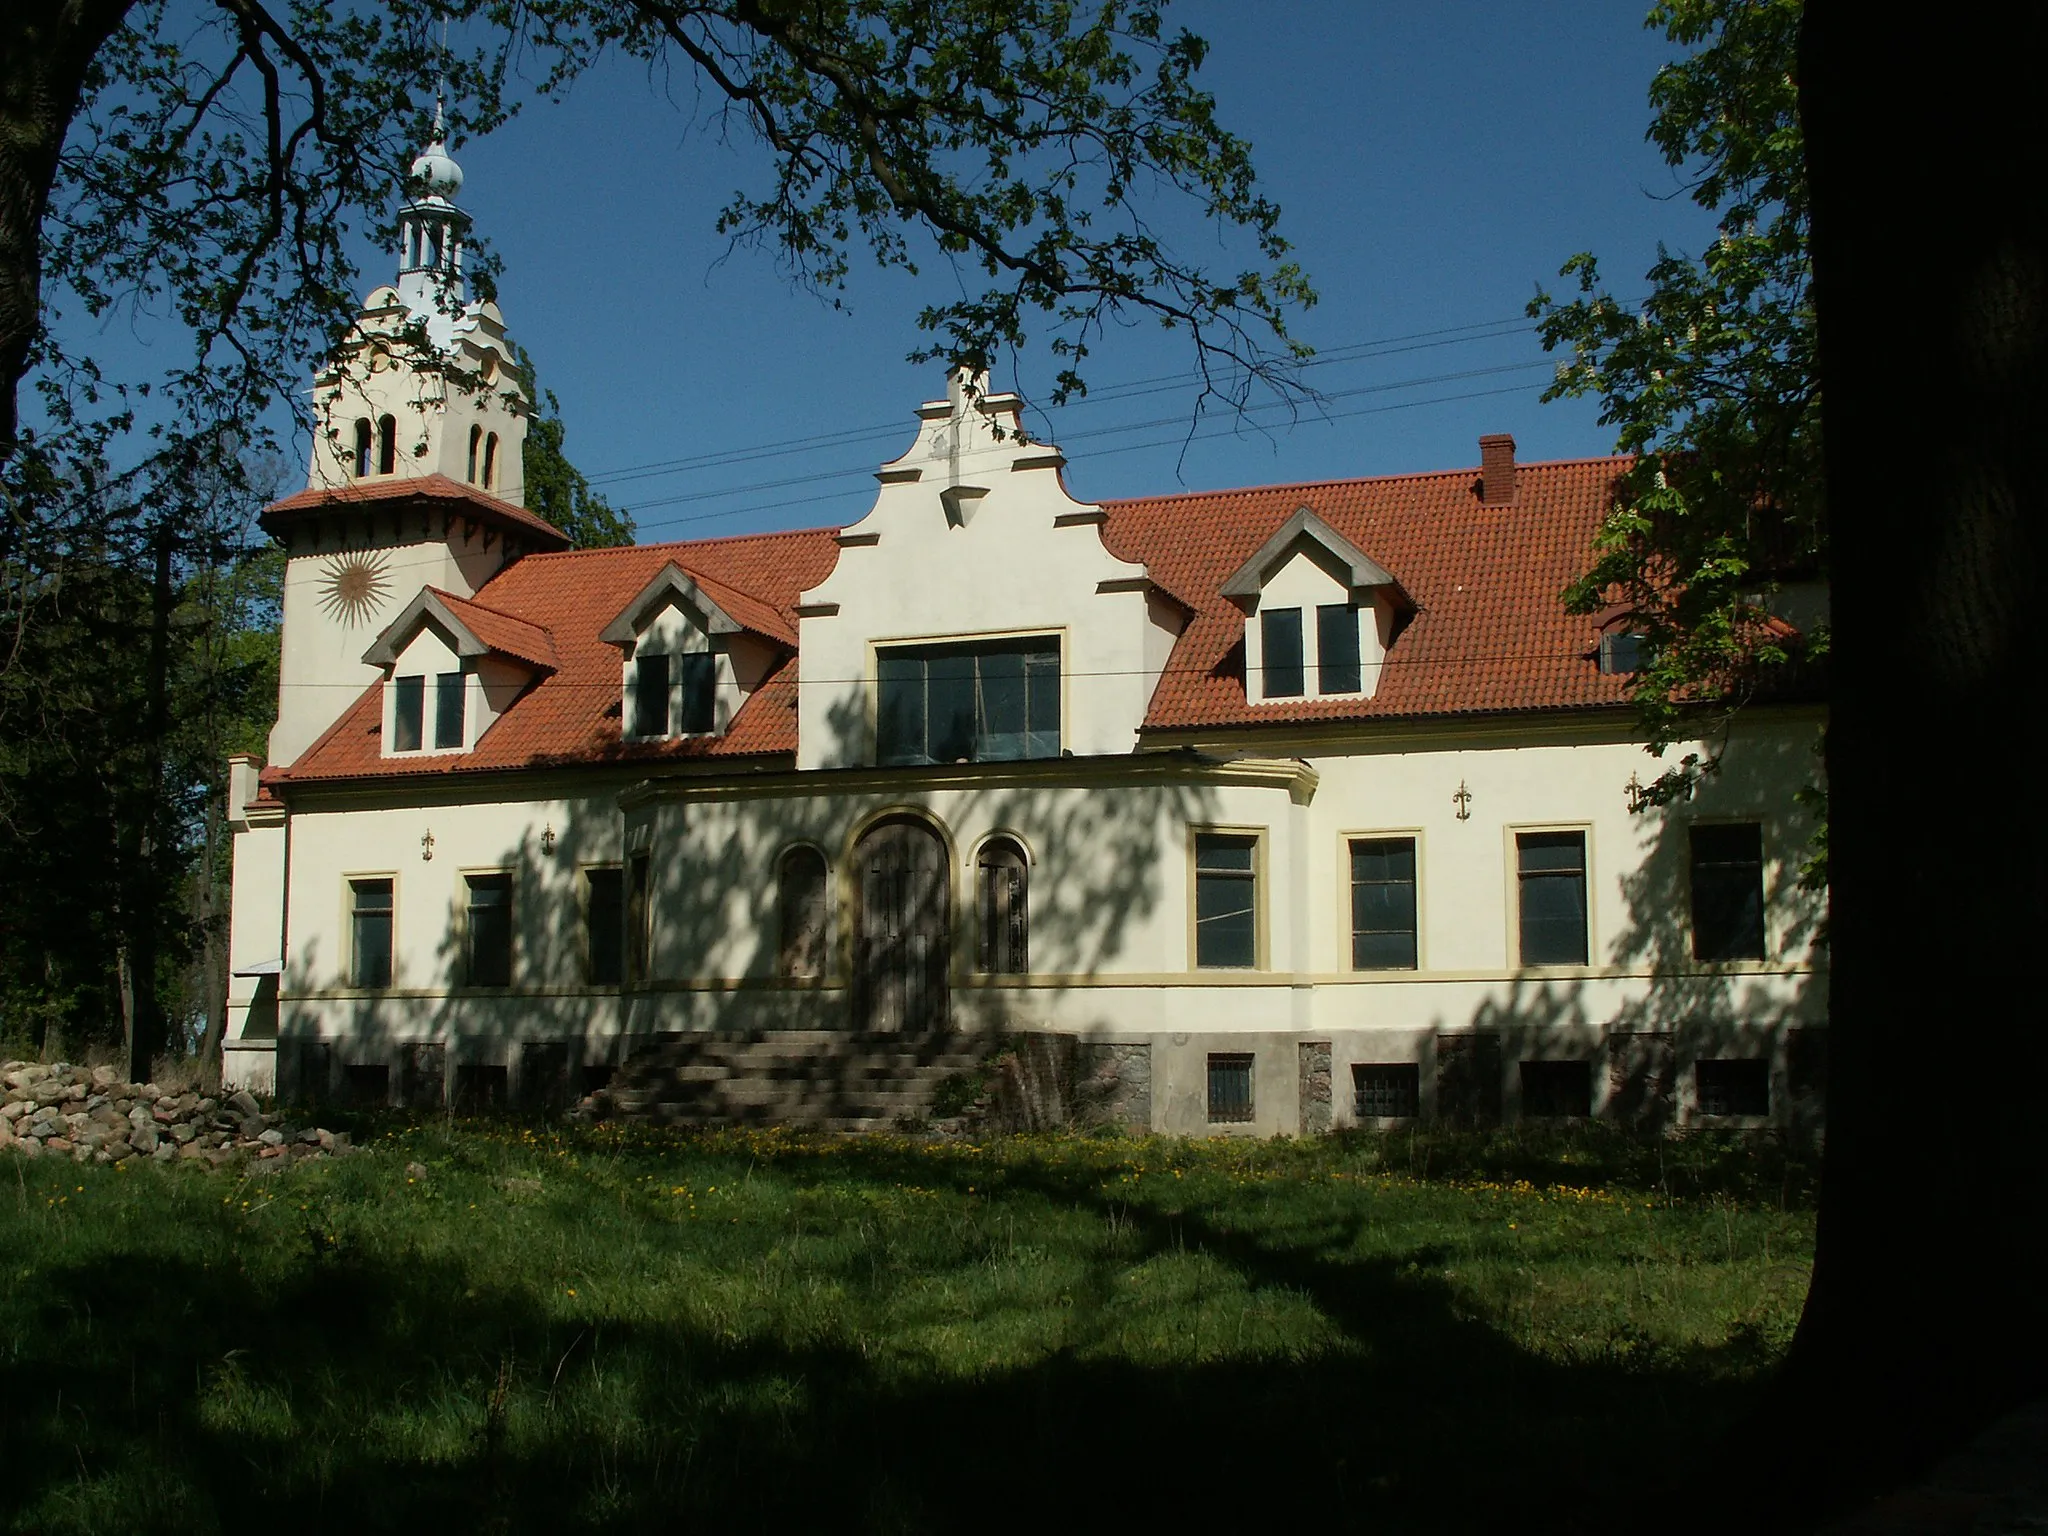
[617,1330]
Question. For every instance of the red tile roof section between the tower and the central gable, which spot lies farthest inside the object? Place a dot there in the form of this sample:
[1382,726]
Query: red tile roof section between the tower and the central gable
[572,714]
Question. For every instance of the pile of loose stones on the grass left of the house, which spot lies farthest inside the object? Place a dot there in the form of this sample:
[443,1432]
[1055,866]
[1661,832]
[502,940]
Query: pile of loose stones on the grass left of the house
[91,1117]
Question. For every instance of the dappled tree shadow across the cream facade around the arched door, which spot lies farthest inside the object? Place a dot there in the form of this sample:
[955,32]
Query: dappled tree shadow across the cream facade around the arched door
[1103,857]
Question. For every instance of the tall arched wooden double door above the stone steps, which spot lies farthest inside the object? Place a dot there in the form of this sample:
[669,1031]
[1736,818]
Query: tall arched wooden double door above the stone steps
[902,929]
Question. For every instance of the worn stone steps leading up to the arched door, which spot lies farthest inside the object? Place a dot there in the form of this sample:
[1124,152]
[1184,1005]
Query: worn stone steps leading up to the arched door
[814,1080]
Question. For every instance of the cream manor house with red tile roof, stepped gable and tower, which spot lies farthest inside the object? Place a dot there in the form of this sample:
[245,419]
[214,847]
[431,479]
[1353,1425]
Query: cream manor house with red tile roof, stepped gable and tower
[1299,806]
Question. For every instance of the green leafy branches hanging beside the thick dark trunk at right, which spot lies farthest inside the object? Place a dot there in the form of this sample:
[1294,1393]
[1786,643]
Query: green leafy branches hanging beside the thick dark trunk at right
[1713,384]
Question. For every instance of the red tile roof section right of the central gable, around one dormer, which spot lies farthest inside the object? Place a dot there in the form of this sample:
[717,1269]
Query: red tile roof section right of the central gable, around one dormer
[1490,632]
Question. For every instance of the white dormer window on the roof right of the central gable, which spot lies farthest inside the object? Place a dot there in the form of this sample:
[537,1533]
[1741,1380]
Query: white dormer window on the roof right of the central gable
[1312,568]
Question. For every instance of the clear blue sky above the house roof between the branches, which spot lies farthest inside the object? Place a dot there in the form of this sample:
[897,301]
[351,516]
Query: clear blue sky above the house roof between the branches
[1435,165]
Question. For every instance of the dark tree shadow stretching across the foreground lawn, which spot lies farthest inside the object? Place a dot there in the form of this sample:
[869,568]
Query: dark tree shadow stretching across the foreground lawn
[189,1398]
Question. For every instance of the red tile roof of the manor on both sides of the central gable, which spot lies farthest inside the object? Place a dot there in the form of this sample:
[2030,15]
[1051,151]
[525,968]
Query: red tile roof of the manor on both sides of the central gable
[1490,632]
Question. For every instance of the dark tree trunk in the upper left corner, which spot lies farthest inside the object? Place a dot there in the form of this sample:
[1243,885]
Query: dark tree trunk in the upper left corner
[46,48]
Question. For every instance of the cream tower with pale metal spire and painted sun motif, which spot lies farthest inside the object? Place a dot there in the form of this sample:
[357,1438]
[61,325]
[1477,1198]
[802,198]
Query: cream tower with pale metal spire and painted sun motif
[415,474]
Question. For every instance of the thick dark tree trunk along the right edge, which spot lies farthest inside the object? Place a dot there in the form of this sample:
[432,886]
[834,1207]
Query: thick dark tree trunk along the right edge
[1930,243]
